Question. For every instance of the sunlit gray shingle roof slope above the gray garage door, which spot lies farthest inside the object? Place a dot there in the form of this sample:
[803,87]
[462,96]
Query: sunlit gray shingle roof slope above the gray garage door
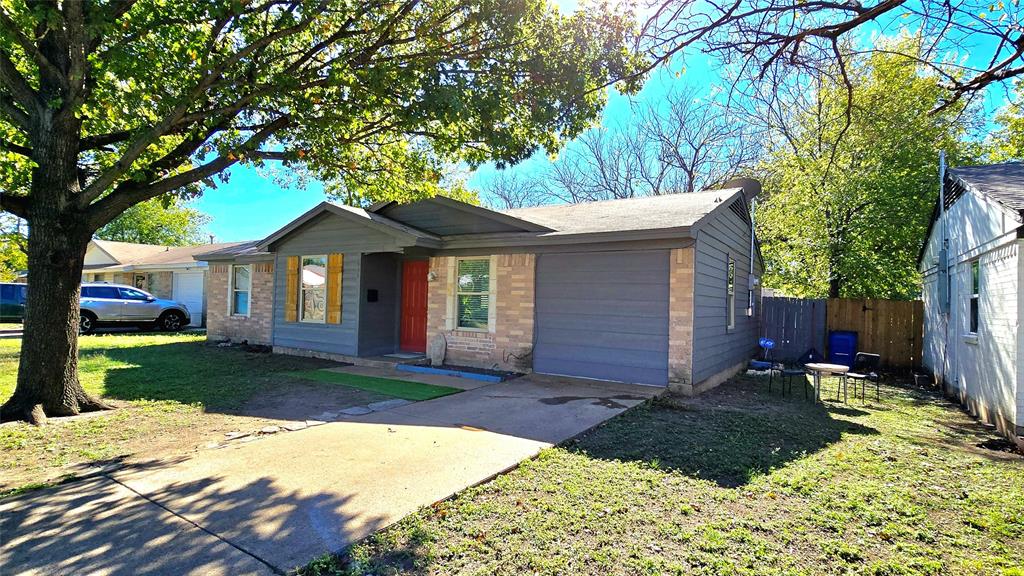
[651,213]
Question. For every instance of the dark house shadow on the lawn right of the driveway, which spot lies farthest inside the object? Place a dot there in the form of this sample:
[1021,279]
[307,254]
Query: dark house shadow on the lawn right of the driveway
[719,438]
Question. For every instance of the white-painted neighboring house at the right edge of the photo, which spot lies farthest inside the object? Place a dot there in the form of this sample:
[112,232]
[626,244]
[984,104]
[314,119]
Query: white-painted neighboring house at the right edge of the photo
[974,344]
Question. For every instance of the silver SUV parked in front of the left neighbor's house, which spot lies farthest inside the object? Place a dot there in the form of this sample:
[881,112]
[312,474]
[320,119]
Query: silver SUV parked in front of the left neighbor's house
[117,305]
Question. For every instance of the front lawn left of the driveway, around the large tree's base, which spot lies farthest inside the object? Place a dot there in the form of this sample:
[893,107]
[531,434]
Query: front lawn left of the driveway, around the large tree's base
[174,392]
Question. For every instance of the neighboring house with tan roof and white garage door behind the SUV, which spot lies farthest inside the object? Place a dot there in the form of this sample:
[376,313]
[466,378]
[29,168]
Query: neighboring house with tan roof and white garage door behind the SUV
[166,272]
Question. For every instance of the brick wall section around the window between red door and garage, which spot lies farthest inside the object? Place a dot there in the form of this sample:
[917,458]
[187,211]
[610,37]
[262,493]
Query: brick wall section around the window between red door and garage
[509,342]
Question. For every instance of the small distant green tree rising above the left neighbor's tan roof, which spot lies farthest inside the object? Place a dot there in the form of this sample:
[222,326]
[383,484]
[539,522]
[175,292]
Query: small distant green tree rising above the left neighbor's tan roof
[162,221]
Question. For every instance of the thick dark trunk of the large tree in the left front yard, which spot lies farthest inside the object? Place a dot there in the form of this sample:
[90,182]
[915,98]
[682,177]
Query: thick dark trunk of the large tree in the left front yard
[59,235]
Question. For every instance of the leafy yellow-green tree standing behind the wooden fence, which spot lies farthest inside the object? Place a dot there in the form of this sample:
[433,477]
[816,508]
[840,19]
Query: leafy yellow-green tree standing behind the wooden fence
[849,197]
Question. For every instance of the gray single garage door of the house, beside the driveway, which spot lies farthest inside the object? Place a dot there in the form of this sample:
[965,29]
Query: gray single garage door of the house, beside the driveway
[604,315]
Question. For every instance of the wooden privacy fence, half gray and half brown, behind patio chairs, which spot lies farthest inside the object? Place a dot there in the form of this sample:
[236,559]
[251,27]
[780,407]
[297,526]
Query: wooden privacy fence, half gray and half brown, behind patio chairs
[893,330]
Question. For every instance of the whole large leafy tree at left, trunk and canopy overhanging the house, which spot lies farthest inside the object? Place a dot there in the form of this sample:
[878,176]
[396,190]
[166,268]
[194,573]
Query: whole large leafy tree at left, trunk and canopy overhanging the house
[107,104]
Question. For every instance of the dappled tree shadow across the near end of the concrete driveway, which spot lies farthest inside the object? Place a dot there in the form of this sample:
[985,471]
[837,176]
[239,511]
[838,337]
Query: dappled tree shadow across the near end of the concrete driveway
[207,526]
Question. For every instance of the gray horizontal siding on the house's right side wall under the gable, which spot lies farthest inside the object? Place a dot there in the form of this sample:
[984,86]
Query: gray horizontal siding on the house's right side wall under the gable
[715,348]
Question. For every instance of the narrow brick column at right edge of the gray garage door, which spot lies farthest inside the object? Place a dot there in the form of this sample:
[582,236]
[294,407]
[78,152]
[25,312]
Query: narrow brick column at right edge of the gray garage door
[681,320]
